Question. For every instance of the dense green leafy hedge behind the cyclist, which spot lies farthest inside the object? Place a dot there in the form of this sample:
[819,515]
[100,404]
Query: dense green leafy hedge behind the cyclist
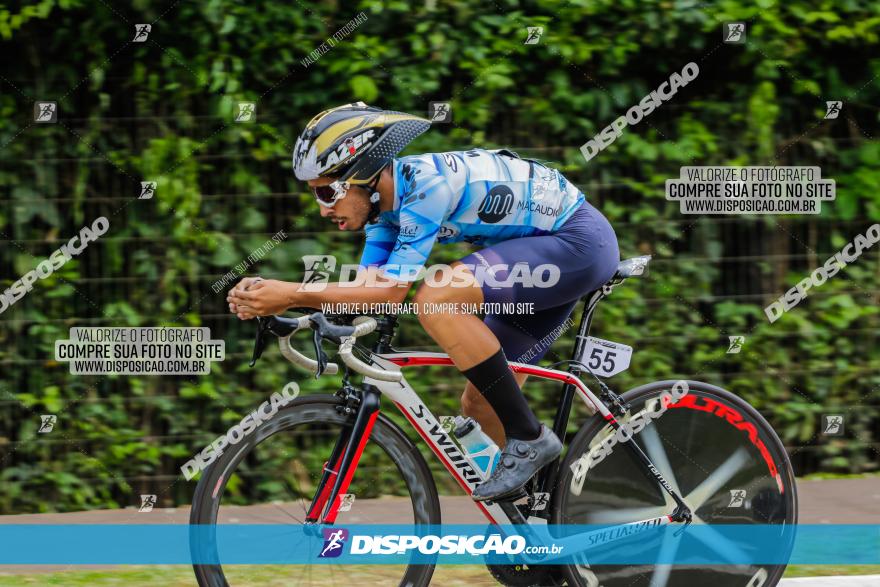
[162,110]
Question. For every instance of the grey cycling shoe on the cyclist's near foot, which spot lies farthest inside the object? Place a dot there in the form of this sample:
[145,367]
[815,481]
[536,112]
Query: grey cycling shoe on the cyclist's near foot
[519,461]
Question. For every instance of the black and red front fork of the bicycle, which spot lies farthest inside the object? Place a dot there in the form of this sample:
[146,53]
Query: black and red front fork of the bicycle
[340,467]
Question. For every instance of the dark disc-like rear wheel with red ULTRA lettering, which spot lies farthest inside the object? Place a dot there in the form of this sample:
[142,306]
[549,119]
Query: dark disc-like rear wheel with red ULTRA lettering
[716,452]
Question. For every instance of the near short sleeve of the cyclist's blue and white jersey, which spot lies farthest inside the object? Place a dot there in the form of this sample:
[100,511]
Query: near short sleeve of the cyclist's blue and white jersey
[423,208]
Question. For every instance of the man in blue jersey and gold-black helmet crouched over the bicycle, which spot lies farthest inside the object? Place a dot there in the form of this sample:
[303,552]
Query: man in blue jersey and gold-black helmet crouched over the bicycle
[519,210]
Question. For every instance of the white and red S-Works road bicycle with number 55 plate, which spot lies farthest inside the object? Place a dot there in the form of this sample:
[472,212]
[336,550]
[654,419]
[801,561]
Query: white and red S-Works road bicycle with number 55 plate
[710,459]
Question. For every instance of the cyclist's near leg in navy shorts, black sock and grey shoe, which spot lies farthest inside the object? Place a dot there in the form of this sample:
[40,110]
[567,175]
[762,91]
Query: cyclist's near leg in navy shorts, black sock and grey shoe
[585,252]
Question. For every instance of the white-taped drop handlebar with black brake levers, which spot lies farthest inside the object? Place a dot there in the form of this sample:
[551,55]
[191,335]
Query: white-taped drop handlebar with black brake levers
[346,336]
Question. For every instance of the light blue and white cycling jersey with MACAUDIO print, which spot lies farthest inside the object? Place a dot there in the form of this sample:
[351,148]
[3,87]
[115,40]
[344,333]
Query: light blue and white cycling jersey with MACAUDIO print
[482,197]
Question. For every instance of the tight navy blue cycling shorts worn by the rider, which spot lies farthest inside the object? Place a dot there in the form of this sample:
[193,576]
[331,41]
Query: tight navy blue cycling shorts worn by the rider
[584,249]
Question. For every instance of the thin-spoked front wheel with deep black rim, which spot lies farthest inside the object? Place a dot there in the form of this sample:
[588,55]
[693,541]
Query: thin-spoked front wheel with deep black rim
[271,476]
